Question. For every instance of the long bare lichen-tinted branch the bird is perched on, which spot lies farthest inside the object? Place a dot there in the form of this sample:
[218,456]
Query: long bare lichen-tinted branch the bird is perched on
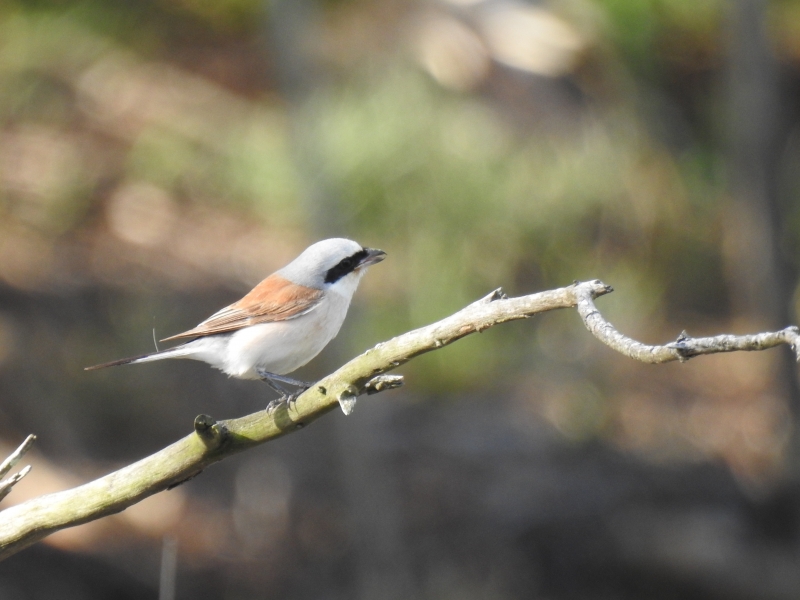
[24,524]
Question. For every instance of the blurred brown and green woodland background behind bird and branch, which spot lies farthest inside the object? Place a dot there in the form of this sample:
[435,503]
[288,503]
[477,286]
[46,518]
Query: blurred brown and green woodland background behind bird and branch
[160,157]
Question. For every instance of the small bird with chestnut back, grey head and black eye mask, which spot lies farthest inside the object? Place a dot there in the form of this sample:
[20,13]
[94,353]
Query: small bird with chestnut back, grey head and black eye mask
[282,323]
